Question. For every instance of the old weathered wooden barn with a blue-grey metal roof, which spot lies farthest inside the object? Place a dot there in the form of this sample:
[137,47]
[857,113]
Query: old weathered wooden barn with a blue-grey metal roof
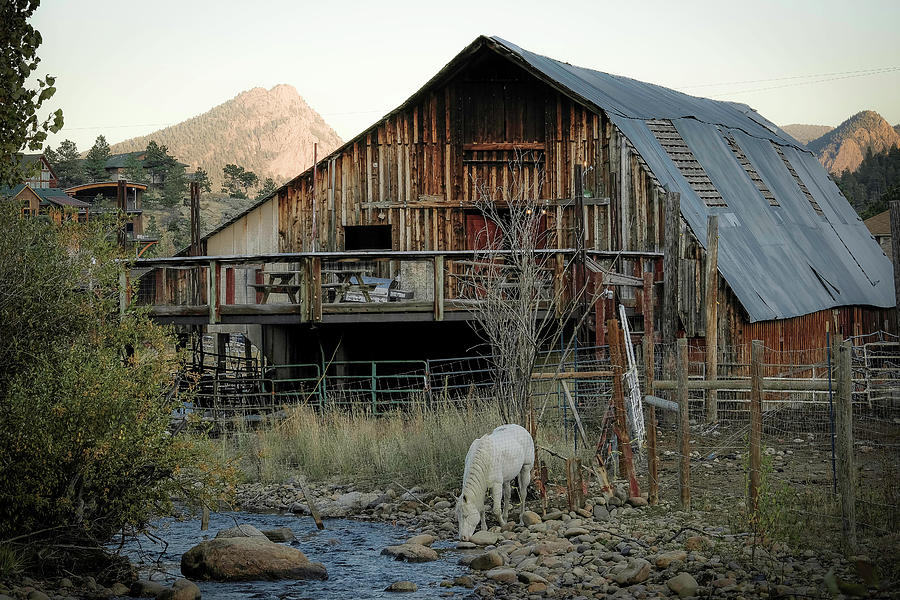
[649,166]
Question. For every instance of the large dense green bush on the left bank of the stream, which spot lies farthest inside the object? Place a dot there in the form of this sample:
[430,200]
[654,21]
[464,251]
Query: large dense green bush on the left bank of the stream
[85,396]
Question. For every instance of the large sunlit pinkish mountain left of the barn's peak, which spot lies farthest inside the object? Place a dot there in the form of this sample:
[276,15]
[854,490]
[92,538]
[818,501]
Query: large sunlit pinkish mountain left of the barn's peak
[270,132]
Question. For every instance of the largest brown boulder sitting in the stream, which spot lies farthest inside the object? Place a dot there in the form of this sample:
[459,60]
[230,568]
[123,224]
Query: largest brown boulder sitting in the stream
[247,559]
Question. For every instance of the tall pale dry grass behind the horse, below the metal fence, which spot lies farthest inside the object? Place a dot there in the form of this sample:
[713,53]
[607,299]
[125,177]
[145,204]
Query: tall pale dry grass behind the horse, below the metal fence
[417,447]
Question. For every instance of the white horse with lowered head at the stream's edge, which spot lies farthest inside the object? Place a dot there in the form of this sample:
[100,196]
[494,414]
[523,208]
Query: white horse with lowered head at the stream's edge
[492,462]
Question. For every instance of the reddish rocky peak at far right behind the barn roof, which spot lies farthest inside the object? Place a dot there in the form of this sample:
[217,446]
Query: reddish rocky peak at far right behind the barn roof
[844,147]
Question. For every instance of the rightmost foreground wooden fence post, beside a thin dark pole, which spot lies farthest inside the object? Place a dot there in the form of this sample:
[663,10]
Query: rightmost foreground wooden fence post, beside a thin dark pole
[844,429]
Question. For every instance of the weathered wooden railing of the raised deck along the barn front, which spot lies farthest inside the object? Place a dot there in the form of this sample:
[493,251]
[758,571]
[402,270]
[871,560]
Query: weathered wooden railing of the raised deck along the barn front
[312,286]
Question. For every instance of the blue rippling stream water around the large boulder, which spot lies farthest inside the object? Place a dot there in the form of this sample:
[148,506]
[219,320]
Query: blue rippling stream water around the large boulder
[350,550]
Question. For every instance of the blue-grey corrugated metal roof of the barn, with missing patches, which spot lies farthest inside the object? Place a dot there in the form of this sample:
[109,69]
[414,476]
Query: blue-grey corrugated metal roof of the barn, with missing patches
[807,253]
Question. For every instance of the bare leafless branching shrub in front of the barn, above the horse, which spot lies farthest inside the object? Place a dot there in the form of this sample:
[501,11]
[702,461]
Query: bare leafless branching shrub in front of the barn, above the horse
[512,284]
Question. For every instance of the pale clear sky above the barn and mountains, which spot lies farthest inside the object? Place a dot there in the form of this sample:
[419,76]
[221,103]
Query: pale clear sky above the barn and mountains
[127,68]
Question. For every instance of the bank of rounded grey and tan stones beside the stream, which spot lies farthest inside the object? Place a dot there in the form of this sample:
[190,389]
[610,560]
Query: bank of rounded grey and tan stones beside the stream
[617,548]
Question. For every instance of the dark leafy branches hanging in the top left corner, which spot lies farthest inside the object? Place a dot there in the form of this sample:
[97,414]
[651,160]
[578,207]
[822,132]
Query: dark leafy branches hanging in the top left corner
[19,105]
